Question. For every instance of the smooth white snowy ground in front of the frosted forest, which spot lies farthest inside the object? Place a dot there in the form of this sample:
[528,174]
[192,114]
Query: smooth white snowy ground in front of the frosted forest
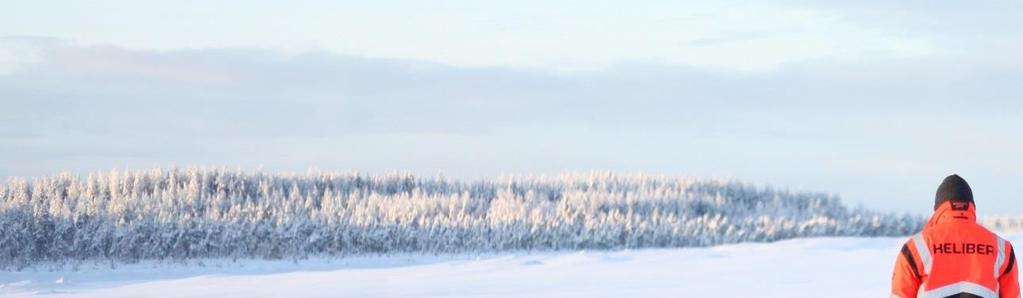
[809,268]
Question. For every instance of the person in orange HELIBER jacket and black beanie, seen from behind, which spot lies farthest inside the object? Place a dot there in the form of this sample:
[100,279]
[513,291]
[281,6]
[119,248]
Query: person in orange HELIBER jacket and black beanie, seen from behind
[954,257]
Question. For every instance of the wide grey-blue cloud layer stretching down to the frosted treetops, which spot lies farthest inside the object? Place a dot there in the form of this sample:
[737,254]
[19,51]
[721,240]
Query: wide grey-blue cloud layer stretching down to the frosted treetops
[87,108]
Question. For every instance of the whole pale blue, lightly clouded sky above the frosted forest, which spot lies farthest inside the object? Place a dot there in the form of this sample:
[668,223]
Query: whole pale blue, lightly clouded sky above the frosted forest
[872,101]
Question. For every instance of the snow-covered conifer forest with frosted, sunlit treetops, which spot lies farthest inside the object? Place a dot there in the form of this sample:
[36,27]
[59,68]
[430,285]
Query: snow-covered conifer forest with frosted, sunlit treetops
[175,215]
